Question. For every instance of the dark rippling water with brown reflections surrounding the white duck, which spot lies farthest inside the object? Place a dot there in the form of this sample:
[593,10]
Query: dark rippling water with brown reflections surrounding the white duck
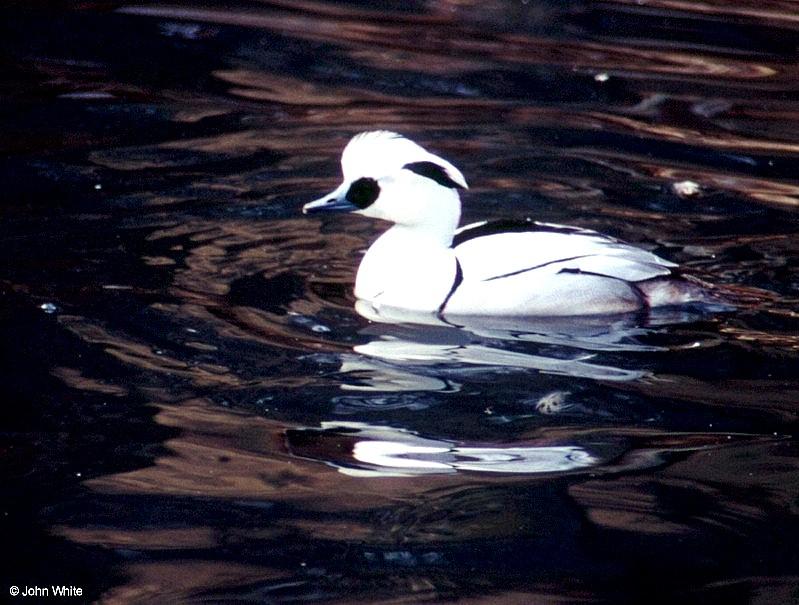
[193,411]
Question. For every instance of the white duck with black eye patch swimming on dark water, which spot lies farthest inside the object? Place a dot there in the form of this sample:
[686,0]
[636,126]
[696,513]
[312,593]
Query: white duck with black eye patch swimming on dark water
[425,263]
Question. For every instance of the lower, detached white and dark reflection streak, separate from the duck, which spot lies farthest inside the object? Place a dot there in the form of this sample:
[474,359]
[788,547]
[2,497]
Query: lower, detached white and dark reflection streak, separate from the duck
[362,450]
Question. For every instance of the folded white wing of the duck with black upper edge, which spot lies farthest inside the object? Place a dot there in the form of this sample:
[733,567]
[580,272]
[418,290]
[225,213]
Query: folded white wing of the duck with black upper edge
[496,250]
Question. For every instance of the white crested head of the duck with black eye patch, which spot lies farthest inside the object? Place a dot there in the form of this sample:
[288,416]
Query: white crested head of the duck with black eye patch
[389,177]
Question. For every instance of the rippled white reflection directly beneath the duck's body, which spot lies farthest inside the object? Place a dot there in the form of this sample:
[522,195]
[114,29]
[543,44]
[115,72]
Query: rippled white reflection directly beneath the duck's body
[417,351]
